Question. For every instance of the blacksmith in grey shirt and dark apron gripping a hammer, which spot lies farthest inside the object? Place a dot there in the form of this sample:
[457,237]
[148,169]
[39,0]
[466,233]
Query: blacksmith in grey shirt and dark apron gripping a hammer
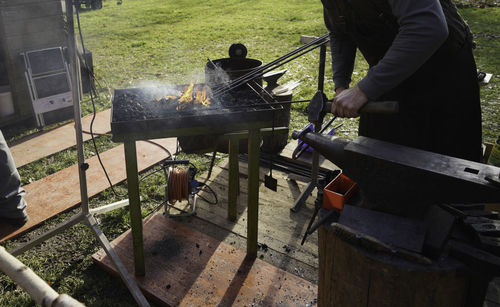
[420,54]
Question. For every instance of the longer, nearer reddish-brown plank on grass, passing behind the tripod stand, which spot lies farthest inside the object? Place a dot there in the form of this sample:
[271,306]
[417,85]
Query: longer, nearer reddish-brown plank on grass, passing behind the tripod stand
[59,192]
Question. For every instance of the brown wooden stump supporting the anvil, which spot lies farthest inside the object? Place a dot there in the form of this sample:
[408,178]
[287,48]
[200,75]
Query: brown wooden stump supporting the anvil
[353,276]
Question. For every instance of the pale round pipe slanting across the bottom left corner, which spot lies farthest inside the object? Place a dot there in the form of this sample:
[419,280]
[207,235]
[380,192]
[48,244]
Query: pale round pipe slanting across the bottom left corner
[36,287]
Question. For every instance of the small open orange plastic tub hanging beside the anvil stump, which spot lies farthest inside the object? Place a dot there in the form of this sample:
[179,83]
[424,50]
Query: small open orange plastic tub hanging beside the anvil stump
[338,192]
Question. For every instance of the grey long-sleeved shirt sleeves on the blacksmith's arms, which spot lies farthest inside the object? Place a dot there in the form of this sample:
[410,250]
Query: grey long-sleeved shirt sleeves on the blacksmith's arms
[422,30]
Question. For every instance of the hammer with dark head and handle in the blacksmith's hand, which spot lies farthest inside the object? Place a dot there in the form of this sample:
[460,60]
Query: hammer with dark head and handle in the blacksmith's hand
[320,105]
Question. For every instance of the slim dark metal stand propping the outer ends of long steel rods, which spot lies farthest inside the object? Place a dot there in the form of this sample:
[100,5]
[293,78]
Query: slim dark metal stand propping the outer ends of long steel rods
[315,161]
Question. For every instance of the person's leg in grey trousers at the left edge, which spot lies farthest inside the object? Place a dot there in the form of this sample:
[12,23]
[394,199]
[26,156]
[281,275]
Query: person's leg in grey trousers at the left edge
[12,203]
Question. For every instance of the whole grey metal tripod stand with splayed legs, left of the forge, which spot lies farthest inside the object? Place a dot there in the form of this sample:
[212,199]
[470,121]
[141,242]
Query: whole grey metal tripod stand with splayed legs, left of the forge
[86,216]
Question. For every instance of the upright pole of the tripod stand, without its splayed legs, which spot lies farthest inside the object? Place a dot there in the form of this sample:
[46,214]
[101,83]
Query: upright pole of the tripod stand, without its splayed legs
[74,73]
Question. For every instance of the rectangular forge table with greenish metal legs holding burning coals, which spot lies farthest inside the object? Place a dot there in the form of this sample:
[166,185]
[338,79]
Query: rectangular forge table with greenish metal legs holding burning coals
[235,125]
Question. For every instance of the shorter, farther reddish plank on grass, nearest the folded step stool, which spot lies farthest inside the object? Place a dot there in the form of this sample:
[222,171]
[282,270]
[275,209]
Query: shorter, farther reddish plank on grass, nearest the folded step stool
[46,143]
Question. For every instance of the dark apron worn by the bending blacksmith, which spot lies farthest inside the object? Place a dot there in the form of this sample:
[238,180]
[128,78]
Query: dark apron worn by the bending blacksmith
[439,104]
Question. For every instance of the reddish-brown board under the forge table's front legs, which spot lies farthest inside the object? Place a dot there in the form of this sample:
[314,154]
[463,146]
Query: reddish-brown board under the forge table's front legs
[188,268]
